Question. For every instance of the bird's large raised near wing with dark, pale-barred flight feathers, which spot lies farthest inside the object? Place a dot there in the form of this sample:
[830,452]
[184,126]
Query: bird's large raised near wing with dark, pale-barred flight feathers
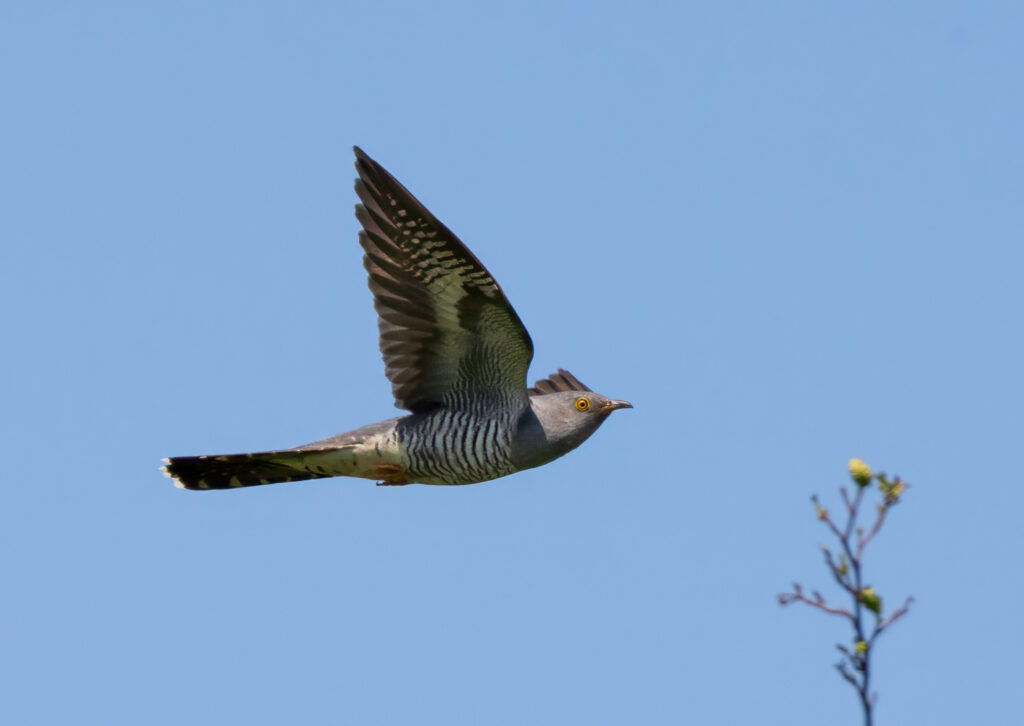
[448,334]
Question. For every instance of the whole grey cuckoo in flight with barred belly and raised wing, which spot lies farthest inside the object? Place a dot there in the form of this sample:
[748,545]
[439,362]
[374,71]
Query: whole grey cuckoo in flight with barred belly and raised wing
[457,357]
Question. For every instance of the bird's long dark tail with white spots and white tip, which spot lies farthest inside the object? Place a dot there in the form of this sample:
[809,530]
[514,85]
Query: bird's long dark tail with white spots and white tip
[234,471]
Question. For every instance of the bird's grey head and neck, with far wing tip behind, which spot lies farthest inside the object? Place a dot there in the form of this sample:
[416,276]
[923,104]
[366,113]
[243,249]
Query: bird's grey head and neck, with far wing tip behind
[564,413]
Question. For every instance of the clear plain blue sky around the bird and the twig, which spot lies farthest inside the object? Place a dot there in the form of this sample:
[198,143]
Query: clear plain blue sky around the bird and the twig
[789,233]
